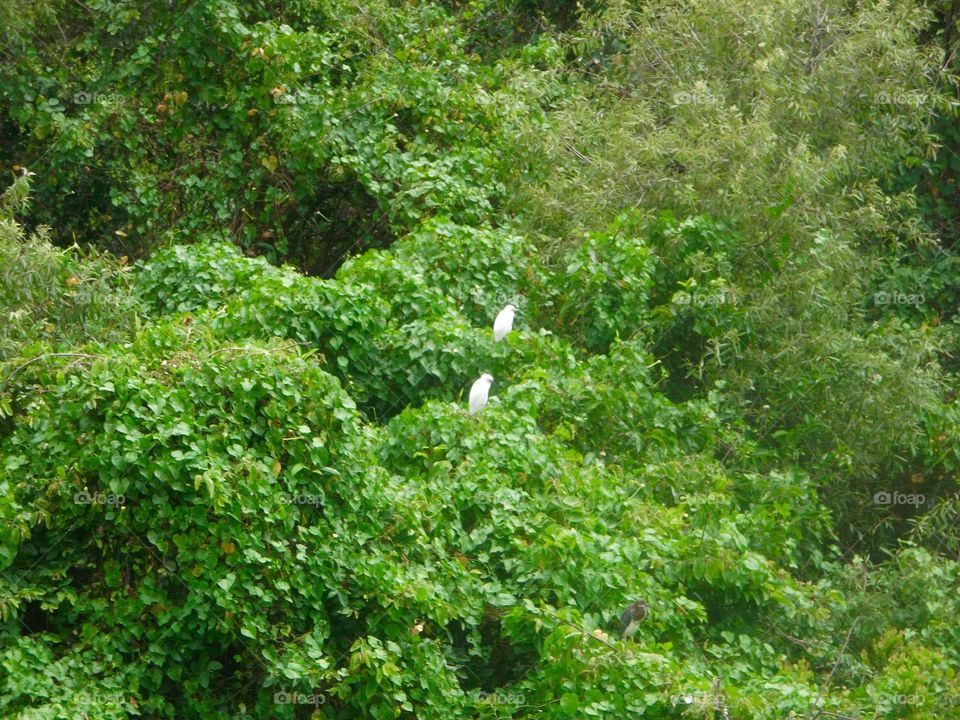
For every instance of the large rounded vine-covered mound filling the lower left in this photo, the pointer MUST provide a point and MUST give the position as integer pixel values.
(210, 492)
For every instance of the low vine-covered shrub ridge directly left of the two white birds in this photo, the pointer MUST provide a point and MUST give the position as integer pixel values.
(390, 326)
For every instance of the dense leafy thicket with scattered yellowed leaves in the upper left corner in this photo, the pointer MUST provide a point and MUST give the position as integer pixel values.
(302, 132)
